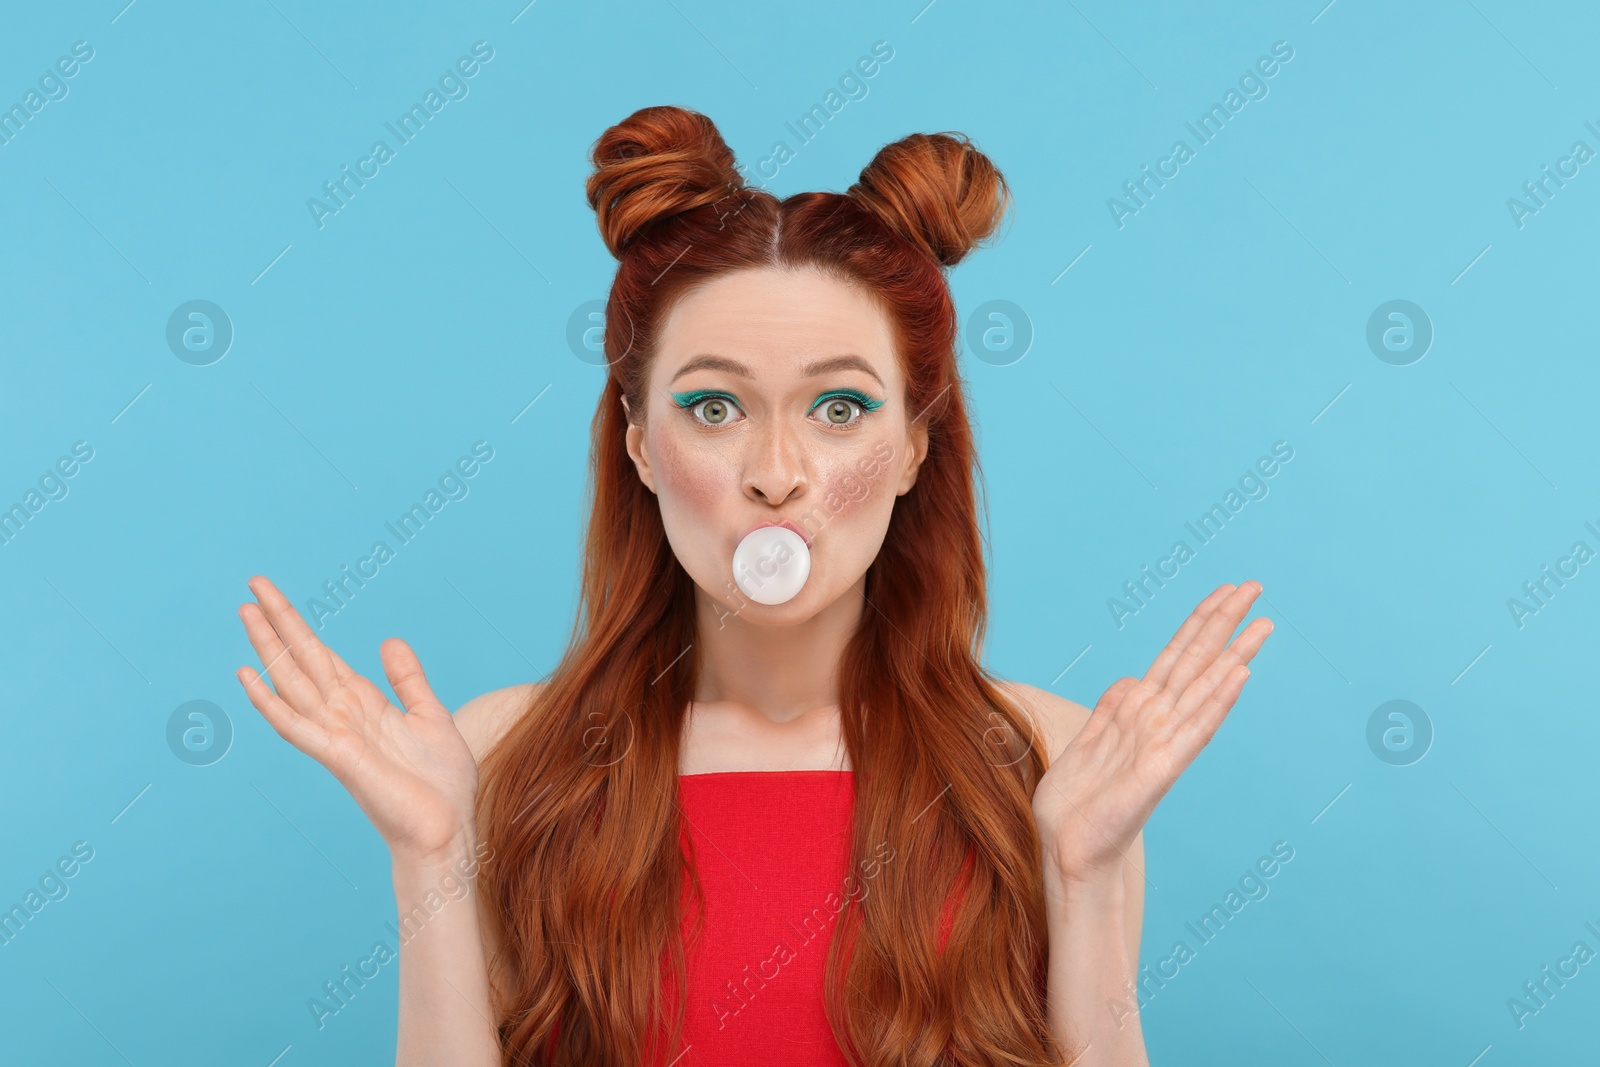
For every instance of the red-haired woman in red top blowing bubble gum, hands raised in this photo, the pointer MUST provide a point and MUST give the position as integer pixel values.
(820, 818)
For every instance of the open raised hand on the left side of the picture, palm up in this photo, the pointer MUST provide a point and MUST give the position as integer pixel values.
(410, 772)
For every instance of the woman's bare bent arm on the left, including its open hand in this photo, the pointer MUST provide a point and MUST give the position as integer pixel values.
(415, 775)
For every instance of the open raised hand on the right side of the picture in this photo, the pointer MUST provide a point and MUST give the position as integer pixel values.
(1142, 735)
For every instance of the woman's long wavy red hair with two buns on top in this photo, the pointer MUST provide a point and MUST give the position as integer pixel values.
(580, 797)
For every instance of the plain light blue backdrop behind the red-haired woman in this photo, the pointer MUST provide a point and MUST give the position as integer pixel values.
(428, 314)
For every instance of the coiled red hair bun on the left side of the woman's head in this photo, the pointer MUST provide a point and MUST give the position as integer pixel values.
(655, 164)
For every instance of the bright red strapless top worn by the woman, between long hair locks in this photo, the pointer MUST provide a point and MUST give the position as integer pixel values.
(774, 852)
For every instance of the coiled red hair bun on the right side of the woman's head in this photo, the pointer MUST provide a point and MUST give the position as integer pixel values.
(937, 191)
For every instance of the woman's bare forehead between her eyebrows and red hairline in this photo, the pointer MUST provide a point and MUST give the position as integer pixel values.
(775, 319)
